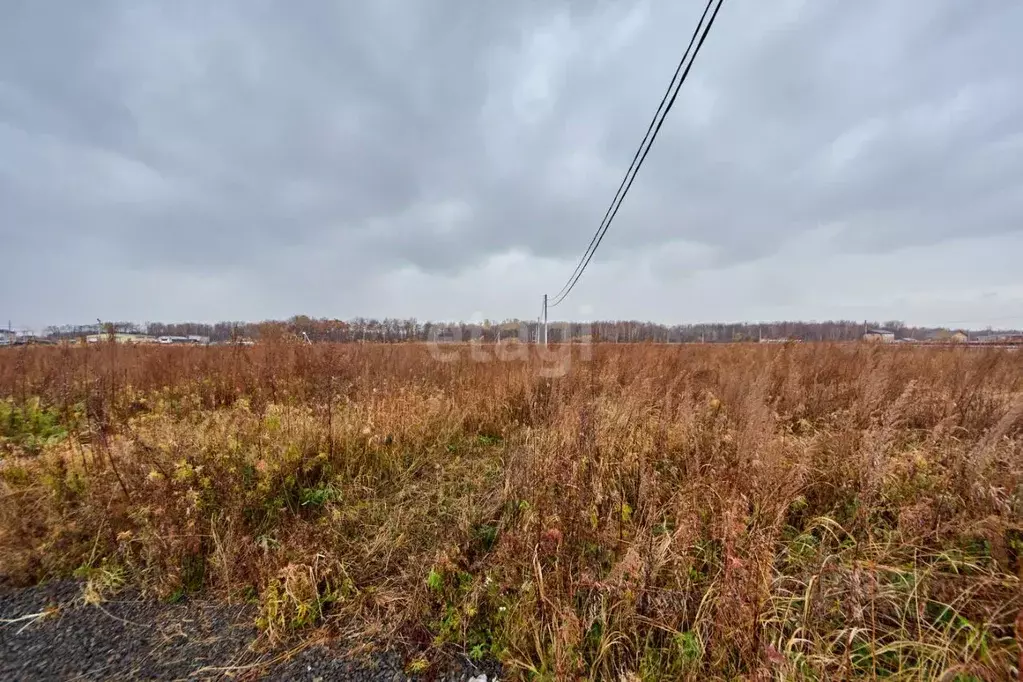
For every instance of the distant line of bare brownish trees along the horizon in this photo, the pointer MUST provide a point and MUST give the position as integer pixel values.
(392, 331)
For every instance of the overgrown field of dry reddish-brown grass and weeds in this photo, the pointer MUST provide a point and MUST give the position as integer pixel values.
(698, 513)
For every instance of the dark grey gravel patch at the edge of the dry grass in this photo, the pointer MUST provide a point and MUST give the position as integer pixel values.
(50, 633)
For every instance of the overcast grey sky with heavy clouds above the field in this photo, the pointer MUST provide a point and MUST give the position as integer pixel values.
(451, 160)
